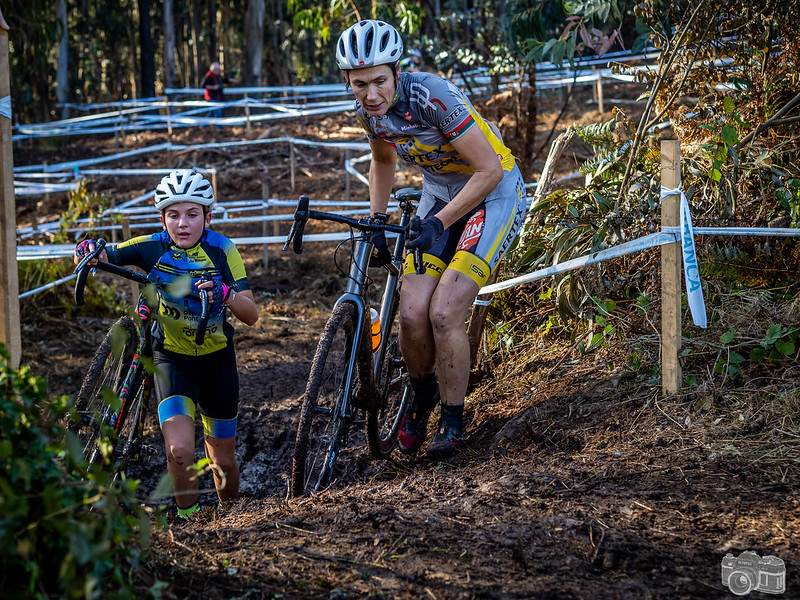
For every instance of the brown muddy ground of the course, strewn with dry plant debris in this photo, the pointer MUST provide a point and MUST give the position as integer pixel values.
(578, 480)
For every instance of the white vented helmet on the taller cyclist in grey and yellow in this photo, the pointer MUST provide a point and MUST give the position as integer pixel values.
(368, 43)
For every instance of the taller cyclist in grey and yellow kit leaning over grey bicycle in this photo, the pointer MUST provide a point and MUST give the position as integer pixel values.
(472, 206)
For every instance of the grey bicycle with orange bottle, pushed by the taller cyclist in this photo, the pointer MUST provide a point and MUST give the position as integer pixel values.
(347, 373)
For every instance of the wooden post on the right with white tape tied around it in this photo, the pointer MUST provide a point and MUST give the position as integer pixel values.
(670, 272)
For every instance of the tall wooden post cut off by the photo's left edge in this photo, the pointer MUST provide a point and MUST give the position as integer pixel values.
(9, 277)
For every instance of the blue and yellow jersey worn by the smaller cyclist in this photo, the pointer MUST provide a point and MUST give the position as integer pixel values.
(179, 312)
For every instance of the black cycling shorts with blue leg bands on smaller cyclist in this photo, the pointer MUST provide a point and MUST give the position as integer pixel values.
(210, 381)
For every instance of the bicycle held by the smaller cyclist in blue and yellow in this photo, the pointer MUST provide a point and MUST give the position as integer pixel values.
(112, 402)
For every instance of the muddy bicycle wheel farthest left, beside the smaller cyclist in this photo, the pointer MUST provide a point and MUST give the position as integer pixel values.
(102, 385)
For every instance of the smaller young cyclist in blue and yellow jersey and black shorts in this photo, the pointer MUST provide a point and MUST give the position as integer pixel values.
(188, 375)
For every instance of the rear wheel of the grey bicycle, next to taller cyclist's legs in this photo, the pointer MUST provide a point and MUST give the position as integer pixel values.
(394, 391)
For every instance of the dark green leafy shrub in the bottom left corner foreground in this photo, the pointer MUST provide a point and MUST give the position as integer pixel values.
(63, 533)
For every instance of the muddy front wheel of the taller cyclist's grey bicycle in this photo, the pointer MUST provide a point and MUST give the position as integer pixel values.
(320, 430)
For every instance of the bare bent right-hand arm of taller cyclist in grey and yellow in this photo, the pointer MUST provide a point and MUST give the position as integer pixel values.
(487, 173)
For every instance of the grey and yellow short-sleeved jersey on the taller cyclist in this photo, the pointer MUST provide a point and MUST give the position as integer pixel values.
(427, 114)
